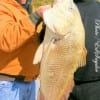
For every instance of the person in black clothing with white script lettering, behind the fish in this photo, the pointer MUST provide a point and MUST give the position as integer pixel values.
(87, 79)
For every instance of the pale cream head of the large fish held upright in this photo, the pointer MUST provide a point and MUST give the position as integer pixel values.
(62, 17)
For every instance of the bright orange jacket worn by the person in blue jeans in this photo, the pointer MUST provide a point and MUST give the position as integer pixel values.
(18, 41)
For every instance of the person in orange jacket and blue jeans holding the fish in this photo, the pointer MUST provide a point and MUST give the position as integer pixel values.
(18, 42)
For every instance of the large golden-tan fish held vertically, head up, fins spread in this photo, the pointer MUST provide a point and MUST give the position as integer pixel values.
(62, 51)
